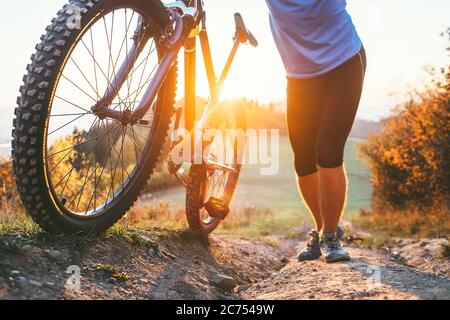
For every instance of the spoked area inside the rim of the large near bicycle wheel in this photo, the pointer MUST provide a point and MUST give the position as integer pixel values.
(91, 161)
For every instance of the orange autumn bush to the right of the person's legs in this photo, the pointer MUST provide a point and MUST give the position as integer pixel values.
(409, 160)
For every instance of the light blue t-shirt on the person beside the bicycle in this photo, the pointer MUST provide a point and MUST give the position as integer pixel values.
(313, 36)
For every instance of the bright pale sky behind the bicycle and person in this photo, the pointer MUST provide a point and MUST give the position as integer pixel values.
(400, 37)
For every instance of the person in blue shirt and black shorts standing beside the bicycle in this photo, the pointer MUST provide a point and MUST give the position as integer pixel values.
(325, 64)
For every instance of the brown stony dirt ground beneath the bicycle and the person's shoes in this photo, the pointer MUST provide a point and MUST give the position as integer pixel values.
(159, 264)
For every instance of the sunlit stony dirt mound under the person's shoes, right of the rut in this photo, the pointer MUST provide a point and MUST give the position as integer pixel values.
(369, 275)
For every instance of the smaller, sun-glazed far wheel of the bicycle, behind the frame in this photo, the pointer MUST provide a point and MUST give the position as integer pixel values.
(210, 188)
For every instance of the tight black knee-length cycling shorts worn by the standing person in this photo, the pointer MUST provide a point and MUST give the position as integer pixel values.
(321, 112)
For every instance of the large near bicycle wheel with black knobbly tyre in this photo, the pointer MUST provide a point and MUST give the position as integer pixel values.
(76, 172)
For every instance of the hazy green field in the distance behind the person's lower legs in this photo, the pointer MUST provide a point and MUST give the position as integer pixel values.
(279, 192)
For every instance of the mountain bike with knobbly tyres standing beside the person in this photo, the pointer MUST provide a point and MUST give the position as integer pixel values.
(85, 143)
